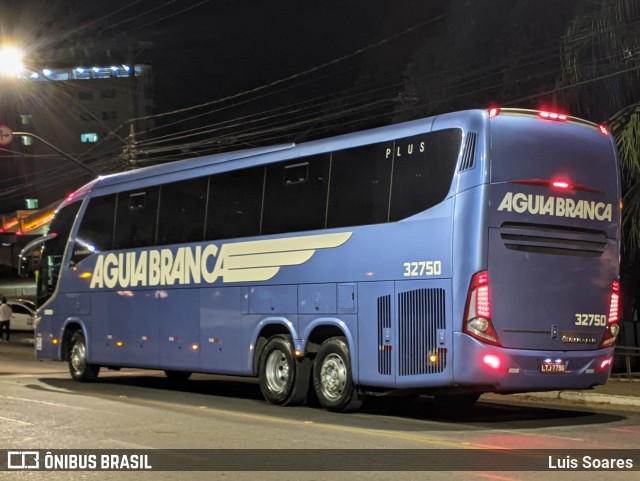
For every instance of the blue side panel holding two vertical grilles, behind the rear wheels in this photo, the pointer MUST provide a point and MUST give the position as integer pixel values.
(405, 338)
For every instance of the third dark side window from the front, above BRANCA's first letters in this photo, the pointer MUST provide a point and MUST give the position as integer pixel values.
(182, 210)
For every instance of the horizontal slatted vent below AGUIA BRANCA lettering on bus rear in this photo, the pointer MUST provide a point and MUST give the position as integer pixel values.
(554, 240)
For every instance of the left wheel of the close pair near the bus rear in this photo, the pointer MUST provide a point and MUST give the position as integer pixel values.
(277, 370)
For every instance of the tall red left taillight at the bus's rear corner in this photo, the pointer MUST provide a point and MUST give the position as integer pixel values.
(477, 314)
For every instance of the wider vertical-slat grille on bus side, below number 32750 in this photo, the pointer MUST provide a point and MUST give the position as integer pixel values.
(421, 313)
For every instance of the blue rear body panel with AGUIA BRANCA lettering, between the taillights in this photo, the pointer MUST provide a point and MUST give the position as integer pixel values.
(553, 247)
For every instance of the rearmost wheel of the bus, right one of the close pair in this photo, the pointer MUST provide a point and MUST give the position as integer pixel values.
(332, 377)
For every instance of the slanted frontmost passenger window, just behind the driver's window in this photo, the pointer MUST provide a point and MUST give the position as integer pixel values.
(96, 229)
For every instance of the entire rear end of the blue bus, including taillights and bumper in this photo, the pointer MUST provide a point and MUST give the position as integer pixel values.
(542, 313)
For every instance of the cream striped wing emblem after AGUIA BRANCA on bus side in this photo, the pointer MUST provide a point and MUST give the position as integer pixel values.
(254, 261)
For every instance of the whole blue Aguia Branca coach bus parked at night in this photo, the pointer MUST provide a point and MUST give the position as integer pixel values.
(465, 253)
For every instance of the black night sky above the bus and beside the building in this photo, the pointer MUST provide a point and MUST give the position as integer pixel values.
(295, 70)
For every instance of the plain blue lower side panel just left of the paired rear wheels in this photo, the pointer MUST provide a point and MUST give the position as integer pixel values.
(224, 343)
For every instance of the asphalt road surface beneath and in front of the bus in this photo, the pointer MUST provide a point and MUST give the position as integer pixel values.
(43, 409)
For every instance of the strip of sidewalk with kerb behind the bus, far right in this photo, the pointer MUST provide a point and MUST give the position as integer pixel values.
(619, 391)
